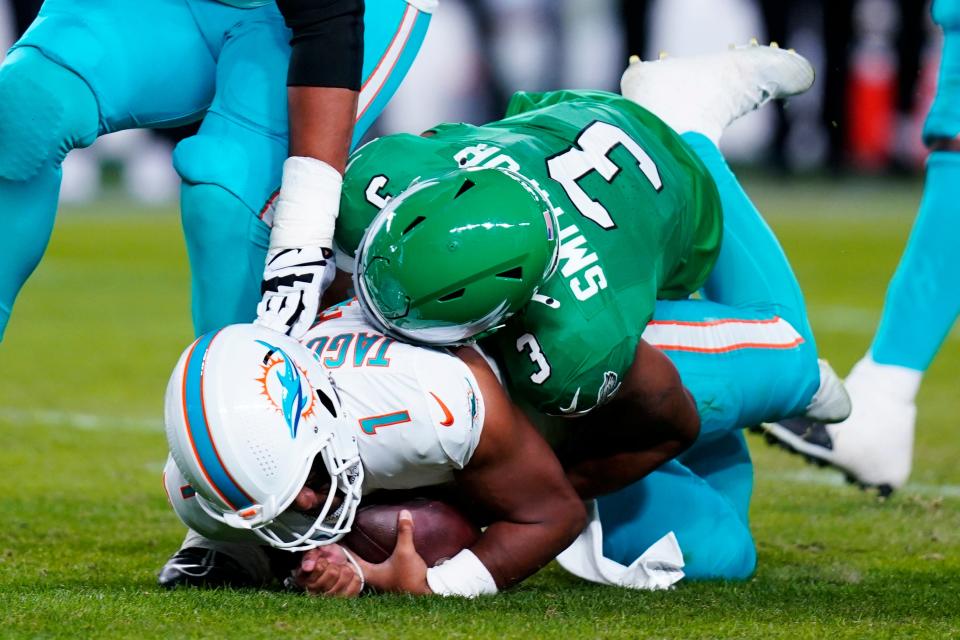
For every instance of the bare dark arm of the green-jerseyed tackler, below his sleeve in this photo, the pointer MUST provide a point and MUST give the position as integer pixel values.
(652, 420)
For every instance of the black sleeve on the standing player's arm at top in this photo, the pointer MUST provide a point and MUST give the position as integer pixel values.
(327, 42)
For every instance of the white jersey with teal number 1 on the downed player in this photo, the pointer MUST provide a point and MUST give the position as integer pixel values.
(416, 412)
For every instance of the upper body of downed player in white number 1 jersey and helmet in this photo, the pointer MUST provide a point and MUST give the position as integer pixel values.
(251, 414)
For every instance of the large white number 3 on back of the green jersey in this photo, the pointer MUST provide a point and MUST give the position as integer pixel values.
(595, 144)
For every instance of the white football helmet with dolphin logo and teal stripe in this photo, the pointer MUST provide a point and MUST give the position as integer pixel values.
(248, 410)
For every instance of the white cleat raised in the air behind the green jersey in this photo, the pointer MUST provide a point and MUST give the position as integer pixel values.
(706, 93)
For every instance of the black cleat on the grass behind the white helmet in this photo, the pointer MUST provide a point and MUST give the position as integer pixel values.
(205, 568)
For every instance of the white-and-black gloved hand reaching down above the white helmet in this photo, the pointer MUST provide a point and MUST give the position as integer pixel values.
(293, 282)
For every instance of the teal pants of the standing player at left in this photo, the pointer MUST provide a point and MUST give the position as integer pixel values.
(90, 67)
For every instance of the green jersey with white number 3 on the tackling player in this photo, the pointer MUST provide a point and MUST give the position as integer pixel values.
(638, 219)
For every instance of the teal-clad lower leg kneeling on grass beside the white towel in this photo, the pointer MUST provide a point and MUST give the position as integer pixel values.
(709, 525)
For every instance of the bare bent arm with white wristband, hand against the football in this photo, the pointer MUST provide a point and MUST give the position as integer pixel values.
(514, 477)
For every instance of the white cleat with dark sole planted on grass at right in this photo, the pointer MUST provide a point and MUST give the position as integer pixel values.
(874, 446)
